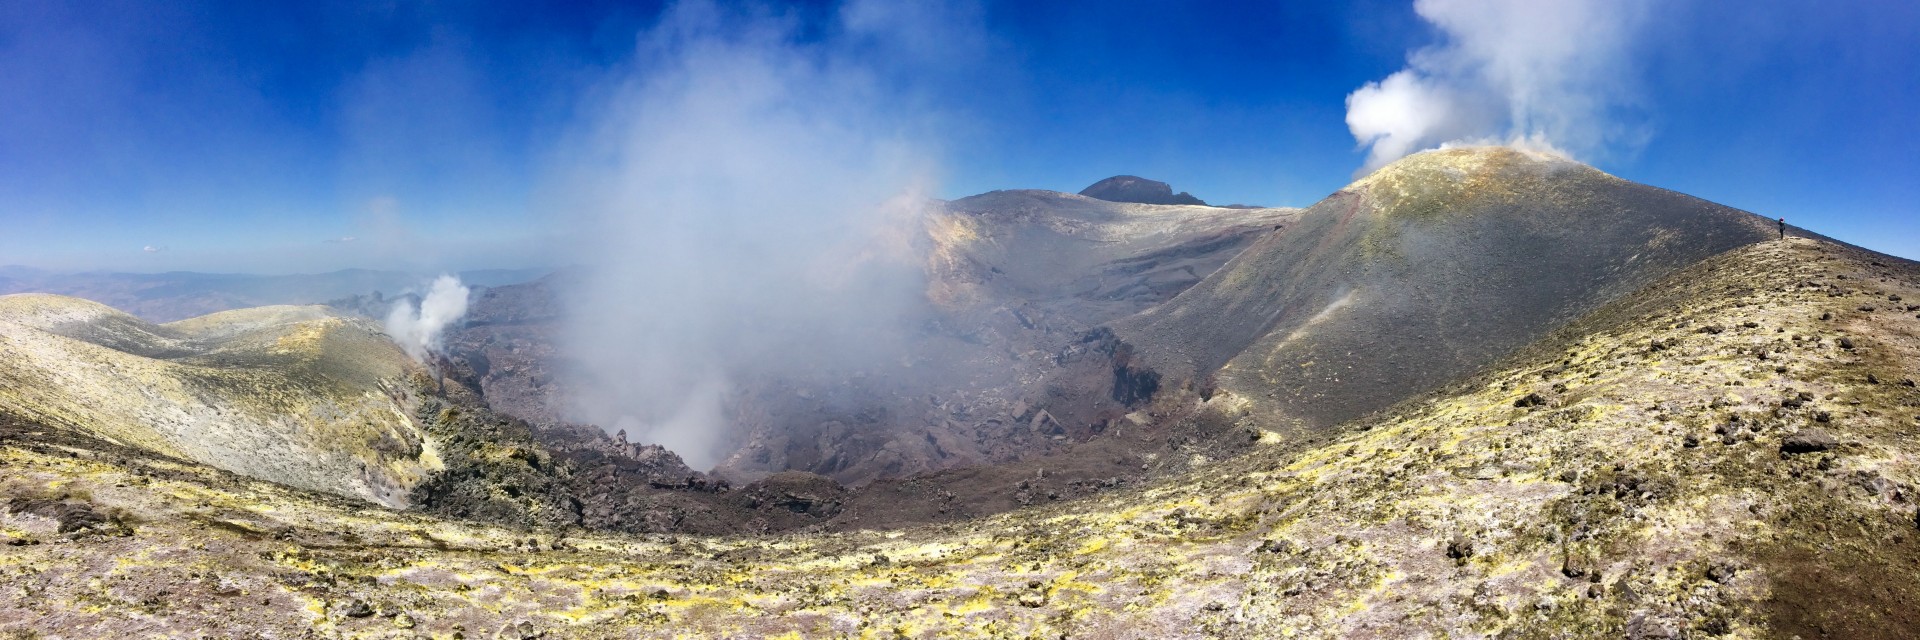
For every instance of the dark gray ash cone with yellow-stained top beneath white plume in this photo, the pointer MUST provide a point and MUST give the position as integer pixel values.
(1420, 274)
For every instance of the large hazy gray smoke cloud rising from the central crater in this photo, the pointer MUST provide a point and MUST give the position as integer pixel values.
(746, 199)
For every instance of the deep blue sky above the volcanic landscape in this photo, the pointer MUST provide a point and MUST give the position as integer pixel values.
(435, 135)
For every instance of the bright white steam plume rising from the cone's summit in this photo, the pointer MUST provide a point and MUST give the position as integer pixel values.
(1541, 74)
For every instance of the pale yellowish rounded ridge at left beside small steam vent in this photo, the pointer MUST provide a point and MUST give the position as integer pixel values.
(289, 395)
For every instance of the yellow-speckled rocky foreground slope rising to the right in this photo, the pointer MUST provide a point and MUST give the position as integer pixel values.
(1727, 451)
